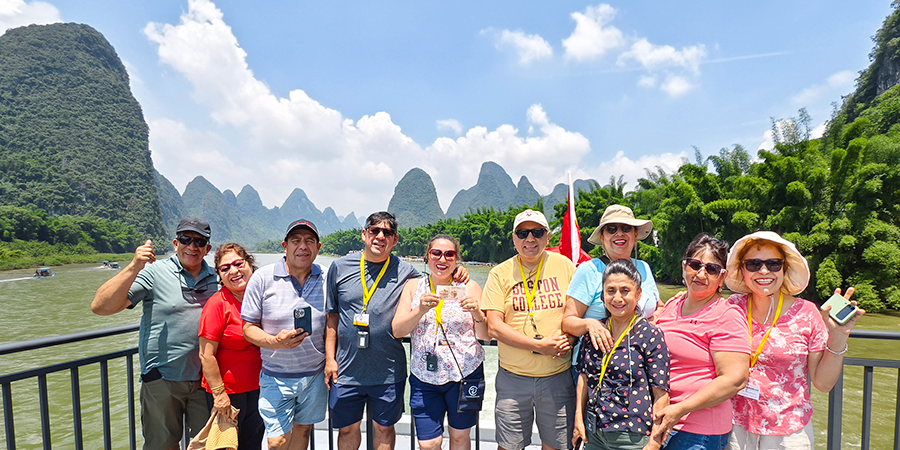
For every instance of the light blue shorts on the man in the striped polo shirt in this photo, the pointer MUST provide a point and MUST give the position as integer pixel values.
(284, 402)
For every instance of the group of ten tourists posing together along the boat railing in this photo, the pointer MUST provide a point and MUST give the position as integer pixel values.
(592, 355)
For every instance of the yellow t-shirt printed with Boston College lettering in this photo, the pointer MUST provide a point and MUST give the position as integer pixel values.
(503, 292)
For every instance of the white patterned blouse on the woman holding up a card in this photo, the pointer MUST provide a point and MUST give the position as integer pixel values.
(427, 338)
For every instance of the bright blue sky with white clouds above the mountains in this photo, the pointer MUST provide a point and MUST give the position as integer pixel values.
(341, 99)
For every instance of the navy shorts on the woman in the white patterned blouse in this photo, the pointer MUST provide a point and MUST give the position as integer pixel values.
(429, 404)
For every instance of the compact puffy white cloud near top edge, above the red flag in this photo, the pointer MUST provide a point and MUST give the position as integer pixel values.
(592, 38)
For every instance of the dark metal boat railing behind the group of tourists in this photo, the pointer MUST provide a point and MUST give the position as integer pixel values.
(835, 399)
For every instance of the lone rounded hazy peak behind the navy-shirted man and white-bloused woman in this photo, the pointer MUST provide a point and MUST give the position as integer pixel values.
(415, 201)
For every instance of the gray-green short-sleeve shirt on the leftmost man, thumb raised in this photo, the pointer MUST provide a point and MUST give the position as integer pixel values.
(172, 302)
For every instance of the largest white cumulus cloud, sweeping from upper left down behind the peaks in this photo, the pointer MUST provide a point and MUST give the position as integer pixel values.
(277, 144)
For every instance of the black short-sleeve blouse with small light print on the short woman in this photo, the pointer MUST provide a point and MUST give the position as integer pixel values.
(624, 400)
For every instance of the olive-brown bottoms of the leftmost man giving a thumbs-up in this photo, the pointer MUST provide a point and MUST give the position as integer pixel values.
(165, 405)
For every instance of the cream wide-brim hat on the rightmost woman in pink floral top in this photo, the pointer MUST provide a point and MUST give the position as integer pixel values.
(796, 276)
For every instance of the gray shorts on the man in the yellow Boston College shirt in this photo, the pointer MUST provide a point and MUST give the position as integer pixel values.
(523, 400)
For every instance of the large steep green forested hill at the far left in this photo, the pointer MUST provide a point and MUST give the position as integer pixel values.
(73, 140)
